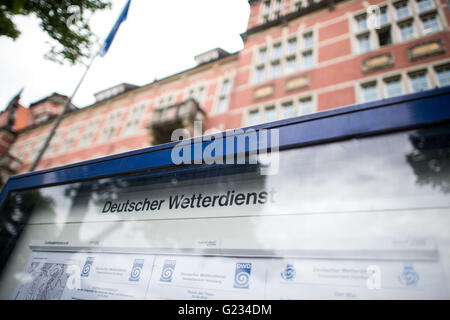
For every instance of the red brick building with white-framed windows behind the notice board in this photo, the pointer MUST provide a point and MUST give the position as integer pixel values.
(299, 56)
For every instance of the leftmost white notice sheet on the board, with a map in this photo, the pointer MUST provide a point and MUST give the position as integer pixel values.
(56, 275)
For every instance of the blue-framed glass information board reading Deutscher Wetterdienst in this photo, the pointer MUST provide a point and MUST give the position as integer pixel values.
(360, 217)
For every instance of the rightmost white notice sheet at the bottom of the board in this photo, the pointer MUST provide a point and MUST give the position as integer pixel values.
(354, 279)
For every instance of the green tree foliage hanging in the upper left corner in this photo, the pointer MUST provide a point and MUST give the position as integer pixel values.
(65, 21)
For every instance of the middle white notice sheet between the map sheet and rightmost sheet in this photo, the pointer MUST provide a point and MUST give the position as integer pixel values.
(176, 277)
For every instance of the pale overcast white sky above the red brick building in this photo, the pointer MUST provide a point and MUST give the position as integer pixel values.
(159, 38)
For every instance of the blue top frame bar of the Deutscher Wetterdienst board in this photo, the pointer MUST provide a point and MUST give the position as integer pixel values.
(395, 114)
